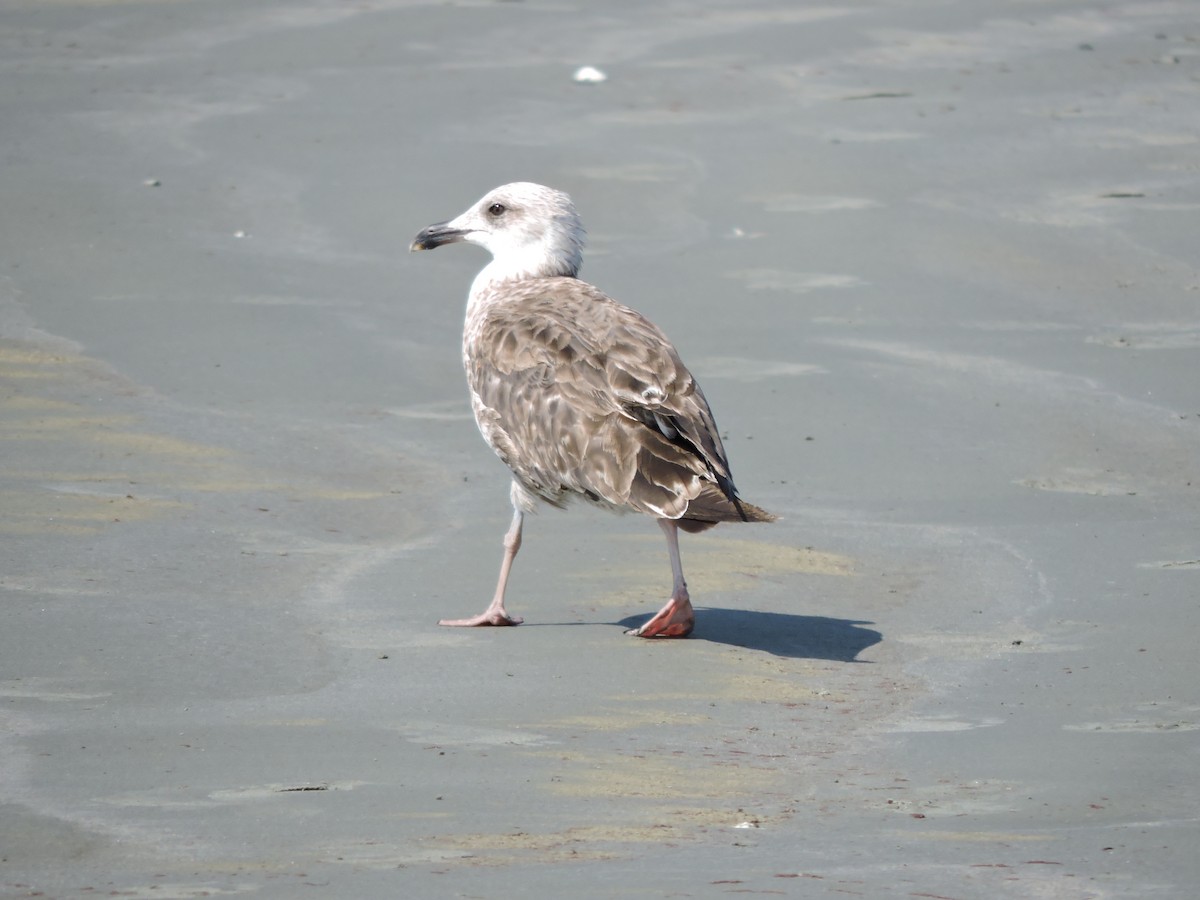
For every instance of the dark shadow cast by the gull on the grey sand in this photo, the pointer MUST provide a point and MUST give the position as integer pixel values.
(782, 634)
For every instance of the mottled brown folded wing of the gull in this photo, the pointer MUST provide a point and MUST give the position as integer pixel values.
(580, 394)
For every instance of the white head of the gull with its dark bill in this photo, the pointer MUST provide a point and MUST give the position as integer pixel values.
(530, 230)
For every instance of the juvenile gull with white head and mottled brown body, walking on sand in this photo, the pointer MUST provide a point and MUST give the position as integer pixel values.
(580, 395)
